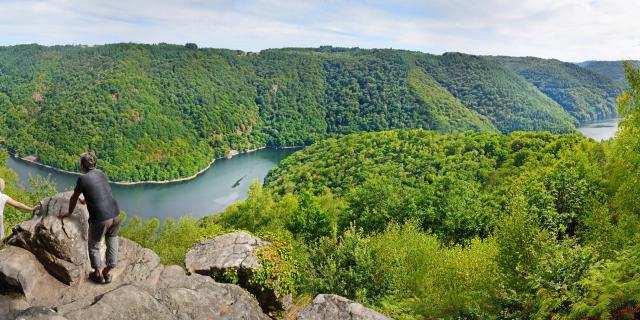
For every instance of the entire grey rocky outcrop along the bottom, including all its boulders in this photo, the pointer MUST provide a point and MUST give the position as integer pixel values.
(40, 278)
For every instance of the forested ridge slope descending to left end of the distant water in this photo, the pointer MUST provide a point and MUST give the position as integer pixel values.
(499, 94)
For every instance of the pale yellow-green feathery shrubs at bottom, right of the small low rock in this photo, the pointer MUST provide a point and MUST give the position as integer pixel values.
(432, 280)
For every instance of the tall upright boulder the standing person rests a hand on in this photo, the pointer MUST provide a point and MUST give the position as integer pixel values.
(59, 244)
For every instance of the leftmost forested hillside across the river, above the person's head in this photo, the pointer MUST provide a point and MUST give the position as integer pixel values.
(151, 112)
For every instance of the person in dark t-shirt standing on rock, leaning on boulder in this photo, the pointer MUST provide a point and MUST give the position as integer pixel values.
(104, 216)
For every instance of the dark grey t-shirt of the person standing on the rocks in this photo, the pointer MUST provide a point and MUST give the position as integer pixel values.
(95, 187)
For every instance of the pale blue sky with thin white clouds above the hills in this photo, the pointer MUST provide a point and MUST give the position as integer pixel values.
(569, 30)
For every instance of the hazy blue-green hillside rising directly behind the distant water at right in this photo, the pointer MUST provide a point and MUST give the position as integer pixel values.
(584, 94)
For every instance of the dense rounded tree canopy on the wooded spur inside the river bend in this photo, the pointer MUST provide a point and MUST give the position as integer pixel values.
(454, 185)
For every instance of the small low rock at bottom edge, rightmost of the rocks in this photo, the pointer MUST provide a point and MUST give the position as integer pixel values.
(331, 306)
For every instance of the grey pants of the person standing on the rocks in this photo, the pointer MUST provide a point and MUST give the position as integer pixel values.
(109, 230)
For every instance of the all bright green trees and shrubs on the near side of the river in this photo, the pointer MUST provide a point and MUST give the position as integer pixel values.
(424, 225)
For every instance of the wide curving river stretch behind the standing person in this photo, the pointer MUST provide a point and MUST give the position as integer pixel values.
(226, 182)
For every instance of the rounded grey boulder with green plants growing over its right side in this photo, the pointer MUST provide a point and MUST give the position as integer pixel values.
(236, 254)
